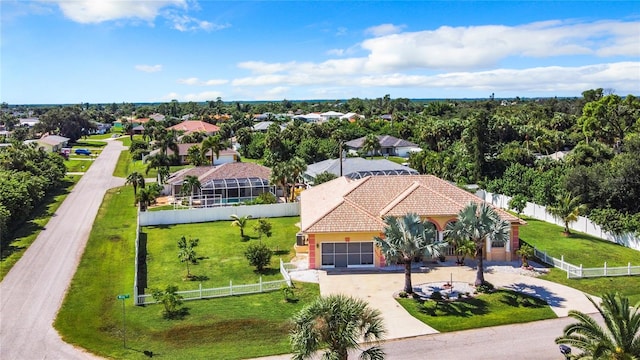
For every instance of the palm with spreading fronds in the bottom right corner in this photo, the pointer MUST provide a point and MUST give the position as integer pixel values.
(619, 340)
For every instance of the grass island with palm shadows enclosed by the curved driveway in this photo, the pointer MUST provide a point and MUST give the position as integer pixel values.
(499, 308)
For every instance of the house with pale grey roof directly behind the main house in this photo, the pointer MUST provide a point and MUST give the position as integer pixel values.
(356, 168)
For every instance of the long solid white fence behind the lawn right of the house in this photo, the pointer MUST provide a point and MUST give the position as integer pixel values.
(583, 224)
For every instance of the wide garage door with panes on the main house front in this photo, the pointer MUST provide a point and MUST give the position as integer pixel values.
(347, 254)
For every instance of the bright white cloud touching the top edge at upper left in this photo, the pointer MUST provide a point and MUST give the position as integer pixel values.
(96, 11)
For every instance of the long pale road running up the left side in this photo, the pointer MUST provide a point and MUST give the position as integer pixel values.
(32, 292)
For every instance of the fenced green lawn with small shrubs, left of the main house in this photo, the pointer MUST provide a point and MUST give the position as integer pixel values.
(221, 250)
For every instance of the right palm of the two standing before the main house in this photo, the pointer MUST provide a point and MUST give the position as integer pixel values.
(479, 223)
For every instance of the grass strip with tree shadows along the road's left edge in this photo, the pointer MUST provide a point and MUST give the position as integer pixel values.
(17, 242)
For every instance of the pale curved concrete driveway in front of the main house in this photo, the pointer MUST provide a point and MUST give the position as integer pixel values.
(378, 289)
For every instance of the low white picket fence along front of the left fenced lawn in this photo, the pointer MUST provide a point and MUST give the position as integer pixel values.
(200, 293)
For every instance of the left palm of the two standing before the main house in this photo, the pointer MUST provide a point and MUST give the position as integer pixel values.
(404, 239)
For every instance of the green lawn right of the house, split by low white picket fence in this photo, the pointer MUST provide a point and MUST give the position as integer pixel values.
(586, 250)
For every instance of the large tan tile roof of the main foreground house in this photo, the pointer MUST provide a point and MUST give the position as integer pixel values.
(362, 204)
